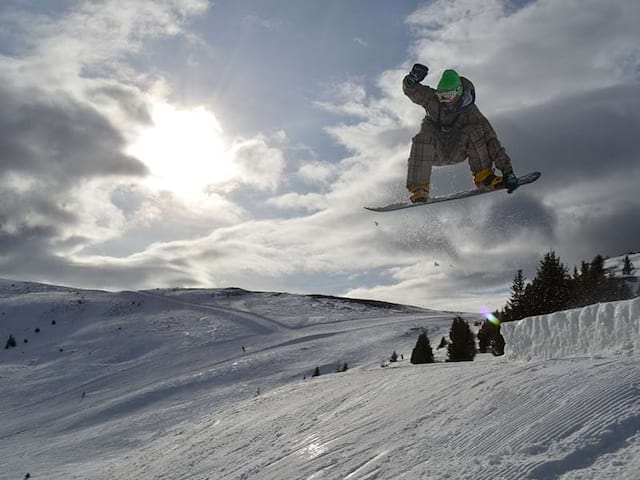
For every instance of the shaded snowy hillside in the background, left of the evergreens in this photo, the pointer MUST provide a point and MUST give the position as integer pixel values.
(103, 373)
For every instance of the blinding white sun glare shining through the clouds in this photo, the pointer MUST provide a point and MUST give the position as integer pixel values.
(184, 150)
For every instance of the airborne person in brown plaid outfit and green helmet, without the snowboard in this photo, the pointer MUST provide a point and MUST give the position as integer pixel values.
(453, 130)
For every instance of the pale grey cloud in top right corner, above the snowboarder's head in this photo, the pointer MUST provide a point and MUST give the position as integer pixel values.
(532, 55)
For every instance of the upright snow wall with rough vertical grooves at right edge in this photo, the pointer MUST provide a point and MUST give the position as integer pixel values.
(595, 330)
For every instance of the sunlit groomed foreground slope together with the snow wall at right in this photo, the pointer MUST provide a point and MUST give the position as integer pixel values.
(568, 416)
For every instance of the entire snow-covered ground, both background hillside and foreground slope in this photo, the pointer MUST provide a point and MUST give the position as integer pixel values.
(216, 384)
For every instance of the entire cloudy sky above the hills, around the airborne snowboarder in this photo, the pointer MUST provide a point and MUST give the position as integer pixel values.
(234, 143)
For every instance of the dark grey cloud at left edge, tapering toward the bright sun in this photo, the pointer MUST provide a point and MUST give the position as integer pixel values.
(59, 139)
